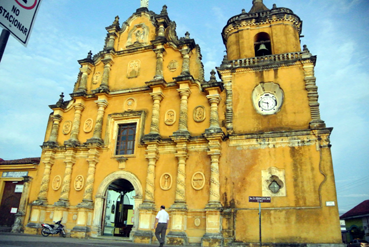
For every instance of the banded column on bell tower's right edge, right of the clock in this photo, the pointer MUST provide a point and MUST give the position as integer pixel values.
(312, 89)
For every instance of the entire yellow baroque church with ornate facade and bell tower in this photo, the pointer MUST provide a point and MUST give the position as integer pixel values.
(144, 128)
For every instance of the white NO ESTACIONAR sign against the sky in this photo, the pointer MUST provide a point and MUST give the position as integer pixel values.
(18, 17)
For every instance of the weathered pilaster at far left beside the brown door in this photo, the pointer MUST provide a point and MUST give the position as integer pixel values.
(19, 216)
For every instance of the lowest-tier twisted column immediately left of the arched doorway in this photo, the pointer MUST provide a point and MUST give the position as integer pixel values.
(93, 159)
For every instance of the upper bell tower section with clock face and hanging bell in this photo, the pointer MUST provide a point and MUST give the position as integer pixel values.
(269, 80)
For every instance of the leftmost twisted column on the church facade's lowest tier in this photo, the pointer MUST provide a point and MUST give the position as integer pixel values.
(48, 160)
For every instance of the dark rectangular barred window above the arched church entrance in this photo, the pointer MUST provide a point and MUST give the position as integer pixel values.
(126, 139)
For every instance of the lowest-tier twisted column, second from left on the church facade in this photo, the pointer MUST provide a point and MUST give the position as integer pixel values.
(69, 161)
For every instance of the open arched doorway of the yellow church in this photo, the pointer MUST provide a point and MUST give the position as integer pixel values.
(118, 212)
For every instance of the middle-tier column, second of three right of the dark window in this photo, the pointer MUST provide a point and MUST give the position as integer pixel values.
(184, 92)
